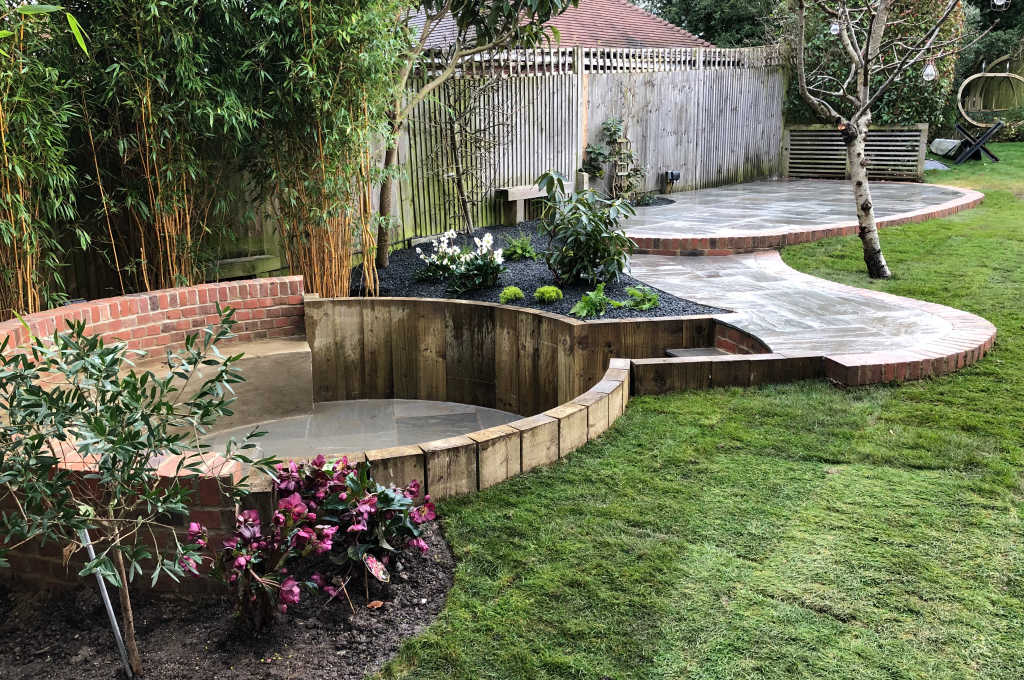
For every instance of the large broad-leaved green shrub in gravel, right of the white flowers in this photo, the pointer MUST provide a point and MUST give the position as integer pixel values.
(586, 242)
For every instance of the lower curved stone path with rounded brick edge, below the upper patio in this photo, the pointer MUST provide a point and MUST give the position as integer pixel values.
(864, 336)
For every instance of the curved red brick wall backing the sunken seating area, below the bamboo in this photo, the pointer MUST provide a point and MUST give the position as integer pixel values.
(266, 309)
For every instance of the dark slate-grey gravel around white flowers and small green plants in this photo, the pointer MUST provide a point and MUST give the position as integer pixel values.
(399, 281)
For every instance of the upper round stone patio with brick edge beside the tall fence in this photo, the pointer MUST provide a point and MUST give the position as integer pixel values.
(762, 216)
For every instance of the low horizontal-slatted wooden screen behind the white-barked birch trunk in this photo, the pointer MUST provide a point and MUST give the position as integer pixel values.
(819, 152)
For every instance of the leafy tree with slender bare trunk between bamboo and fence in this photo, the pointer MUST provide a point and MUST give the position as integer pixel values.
(445, 34)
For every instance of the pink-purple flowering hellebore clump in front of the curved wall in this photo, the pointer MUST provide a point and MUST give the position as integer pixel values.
(333, 509)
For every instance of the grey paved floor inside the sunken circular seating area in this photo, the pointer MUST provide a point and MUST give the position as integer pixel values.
(343, 428)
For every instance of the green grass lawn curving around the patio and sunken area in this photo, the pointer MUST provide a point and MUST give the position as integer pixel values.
(790, 532)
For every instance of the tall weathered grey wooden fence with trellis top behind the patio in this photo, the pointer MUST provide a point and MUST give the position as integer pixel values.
(714, 115)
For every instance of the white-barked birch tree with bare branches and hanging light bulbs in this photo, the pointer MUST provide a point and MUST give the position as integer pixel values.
(882, 41)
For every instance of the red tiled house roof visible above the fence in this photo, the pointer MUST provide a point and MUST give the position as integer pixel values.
(594, 24)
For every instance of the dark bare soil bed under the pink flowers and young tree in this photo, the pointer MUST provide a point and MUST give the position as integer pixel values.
(65, 636)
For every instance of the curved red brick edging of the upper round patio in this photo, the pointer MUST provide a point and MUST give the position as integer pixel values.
(755, 241)
